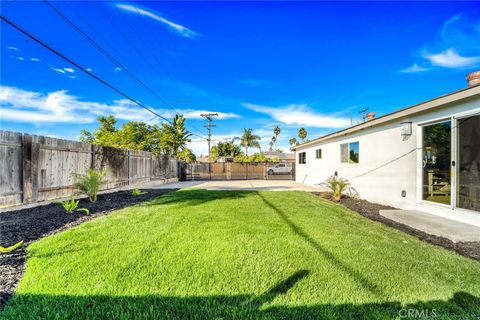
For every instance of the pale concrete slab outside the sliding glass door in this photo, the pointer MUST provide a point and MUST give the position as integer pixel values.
(435, 225)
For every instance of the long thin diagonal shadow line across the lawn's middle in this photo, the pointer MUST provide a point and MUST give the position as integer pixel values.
(329, 256)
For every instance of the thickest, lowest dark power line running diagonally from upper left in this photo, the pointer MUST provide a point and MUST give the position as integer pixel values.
(64, 57)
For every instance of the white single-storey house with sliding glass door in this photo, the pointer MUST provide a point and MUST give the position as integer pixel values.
(425, 157)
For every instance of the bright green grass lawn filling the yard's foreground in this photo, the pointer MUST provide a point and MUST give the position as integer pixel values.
(197, 254)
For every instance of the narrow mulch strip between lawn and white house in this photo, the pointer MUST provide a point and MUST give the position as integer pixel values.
(370, 210)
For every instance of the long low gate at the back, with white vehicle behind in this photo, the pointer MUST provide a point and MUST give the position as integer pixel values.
(240, 171)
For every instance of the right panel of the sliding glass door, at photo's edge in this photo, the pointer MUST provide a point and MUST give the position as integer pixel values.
(468, 168)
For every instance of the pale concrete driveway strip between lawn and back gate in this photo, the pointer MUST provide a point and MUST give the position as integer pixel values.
(271, 185)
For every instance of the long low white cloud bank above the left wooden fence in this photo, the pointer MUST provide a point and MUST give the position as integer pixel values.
(19, 105)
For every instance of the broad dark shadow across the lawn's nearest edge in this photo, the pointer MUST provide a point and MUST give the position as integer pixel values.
(461, 306)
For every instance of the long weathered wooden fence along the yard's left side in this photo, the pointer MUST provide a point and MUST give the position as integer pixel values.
(37, 168)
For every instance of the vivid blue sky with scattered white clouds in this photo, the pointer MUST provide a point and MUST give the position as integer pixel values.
(259, 64)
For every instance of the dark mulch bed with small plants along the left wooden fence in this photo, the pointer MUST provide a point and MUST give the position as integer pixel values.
(31, 224)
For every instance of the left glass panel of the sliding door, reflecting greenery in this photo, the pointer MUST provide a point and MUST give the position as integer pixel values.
(436, 161)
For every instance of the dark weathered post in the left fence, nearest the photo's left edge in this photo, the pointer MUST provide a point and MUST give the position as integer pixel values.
(30, 155)
